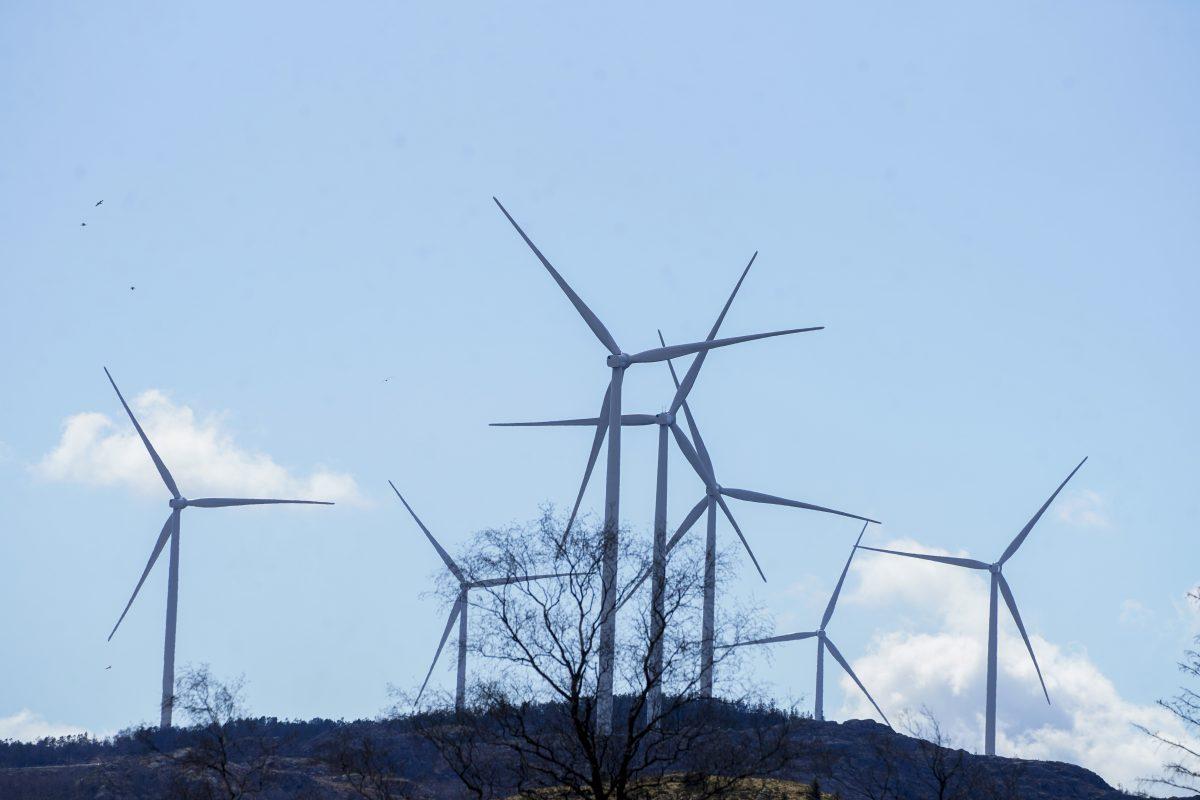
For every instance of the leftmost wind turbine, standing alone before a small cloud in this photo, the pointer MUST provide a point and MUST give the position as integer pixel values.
(171, 532)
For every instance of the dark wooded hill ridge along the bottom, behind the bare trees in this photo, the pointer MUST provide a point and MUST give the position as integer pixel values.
(855, 761)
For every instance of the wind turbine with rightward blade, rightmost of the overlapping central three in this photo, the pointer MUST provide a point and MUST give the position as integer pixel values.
(715, 497)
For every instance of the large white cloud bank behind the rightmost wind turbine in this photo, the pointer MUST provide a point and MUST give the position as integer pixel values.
(1089, 723)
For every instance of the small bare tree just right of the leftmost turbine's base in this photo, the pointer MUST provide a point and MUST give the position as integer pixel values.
(226, 754)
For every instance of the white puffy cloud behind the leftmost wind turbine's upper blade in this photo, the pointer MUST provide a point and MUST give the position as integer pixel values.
(201, 454)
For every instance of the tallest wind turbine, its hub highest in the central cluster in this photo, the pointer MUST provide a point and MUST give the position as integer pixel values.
(617, 362)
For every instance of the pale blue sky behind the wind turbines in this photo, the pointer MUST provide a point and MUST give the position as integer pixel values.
(992, 210)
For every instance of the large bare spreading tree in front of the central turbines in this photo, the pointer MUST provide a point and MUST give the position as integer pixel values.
(531, 724)
